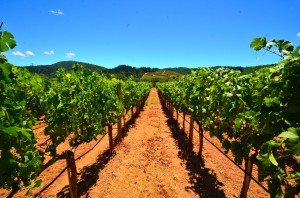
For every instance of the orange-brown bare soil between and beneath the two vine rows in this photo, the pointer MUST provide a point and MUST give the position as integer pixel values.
(153, 160)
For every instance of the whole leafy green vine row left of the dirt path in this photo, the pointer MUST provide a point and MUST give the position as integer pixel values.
(75, 107)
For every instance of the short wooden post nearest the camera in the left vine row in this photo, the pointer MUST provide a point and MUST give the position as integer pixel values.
(72, 173)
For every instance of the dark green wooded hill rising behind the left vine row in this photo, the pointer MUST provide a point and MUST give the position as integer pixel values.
(49, 70)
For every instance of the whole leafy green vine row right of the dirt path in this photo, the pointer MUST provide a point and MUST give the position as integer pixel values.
(255, 114)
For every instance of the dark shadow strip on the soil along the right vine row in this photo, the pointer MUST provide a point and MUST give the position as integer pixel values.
(203, 180)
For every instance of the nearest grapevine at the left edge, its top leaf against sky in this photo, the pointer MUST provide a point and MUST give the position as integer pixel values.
(20, 160)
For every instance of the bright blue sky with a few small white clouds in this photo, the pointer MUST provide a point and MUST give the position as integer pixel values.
(151, 33)
